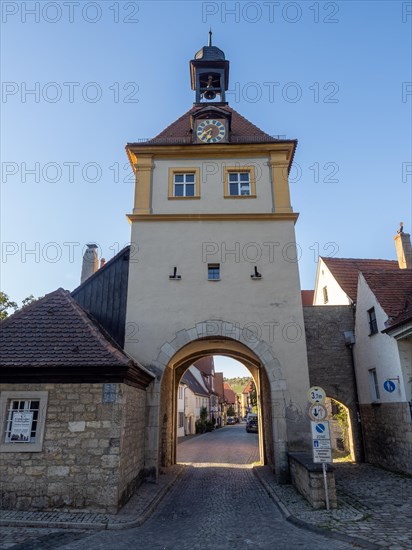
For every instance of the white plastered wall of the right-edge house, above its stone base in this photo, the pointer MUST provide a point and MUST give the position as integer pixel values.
(378, 351)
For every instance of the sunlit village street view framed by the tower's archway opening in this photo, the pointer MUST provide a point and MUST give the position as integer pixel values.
(215, 395)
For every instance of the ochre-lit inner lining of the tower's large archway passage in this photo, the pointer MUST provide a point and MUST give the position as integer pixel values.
(172, 375)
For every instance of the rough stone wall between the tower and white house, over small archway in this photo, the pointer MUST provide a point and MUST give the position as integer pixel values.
(330, 360)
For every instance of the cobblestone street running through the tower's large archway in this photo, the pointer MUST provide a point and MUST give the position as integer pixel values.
(217, 503)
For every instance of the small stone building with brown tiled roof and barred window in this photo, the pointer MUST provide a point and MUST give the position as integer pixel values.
(74, 403)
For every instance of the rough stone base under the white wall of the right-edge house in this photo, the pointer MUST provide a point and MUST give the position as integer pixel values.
(389, 435)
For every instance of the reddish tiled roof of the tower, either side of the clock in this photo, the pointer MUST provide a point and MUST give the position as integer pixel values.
(241, 129)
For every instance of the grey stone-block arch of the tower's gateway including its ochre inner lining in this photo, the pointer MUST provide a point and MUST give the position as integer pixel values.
(212, 337)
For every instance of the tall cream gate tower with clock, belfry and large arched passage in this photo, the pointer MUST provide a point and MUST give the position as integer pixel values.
(213, 264)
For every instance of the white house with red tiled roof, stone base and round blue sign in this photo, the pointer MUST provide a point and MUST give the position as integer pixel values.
(383, 363)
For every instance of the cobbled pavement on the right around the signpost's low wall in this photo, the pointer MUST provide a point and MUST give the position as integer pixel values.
(373, 505)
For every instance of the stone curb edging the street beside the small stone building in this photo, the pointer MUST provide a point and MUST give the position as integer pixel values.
(107, 525)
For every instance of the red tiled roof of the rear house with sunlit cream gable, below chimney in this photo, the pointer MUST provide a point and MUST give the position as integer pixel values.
(346, 271)
